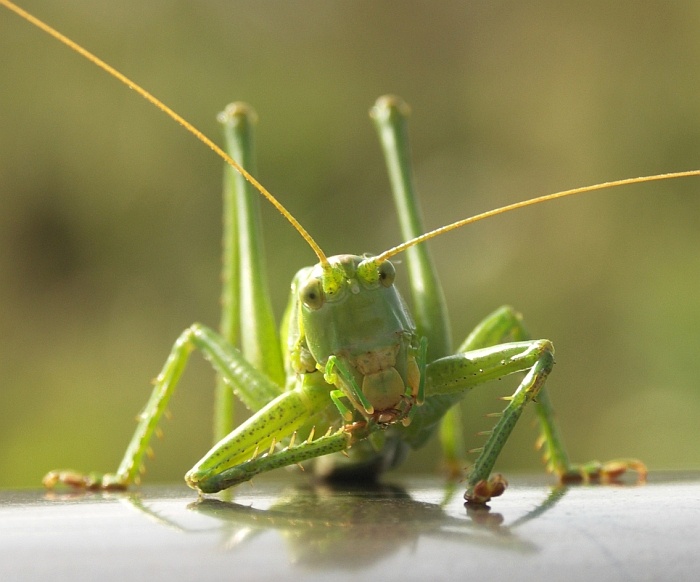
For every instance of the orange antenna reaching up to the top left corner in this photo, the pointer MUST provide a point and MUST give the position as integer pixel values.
(170, 113)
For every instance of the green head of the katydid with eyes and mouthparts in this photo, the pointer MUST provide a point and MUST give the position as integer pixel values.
(349, 308)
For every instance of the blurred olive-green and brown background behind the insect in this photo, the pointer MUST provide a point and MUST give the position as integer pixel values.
(110, 213)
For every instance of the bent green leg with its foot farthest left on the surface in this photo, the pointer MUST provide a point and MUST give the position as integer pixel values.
(253, 388)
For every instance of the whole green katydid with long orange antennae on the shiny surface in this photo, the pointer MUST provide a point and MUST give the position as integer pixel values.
(354, 390)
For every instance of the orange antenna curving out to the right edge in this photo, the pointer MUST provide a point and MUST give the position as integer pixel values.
(531, 202)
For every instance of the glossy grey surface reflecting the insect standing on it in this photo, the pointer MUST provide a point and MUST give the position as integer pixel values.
(405, 531)
